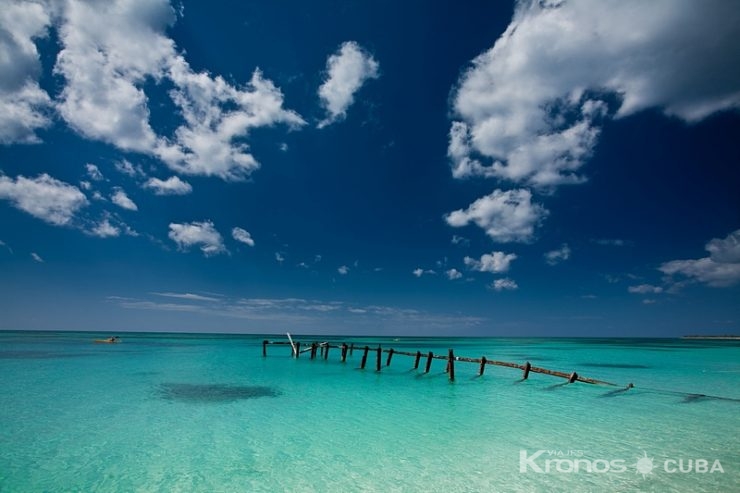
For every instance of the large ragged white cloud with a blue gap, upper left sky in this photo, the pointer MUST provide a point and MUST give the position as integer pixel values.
(111, 50)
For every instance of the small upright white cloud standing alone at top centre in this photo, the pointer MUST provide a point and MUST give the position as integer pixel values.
(347, 70)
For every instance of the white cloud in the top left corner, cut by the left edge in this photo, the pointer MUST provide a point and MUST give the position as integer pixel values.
(24, 106)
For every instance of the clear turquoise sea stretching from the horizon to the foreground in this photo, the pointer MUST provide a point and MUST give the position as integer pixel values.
(209, 413)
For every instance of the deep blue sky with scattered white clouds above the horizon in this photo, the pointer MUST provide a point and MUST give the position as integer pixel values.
(536, 168)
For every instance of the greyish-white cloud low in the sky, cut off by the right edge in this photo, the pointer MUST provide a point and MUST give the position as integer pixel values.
(720, 269)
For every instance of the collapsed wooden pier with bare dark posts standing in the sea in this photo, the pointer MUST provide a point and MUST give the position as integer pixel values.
(450, 358)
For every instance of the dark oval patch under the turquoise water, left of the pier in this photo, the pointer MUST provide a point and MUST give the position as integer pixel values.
(187, 392)
